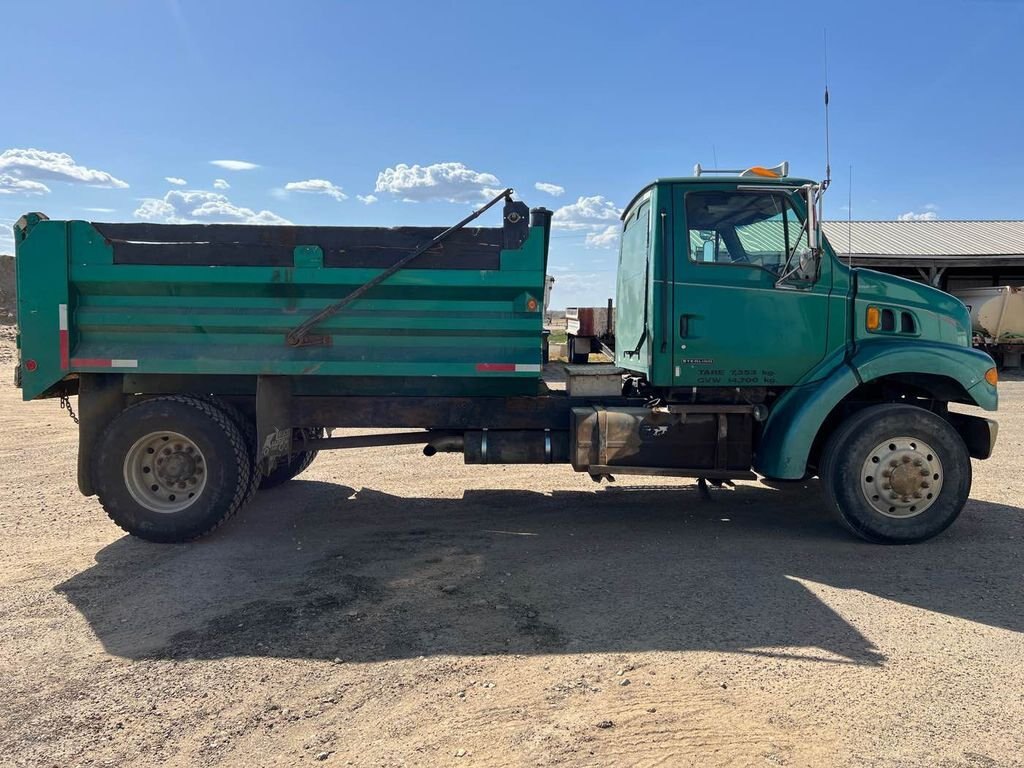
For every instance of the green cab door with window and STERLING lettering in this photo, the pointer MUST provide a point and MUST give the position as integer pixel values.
(735, 326)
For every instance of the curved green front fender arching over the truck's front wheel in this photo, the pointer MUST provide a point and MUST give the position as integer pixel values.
(796, 418)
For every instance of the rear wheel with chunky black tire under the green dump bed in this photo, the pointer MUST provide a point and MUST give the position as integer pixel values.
(172, 470)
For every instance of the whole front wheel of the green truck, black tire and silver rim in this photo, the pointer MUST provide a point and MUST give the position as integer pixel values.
(897, 475)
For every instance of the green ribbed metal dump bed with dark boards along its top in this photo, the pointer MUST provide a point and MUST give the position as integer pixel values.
(465, 318)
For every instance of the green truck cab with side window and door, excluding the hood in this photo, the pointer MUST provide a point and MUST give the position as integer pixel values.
(718, 263)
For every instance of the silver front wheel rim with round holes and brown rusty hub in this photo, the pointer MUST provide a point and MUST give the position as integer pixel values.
(902, 478)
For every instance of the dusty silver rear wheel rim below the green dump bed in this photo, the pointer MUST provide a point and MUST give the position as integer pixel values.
(165, 473)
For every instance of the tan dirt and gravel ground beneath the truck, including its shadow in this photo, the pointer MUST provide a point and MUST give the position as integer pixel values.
(391, 610)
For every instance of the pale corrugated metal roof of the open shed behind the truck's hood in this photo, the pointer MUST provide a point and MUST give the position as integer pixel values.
(948, 254)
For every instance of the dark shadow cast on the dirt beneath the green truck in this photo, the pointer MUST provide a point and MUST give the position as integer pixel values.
(320, 571)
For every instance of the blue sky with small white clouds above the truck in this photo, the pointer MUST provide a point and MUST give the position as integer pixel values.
(365, 107)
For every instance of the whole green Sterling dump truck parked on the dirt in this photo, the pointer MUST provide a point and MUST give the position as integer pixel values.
(211, 361)
